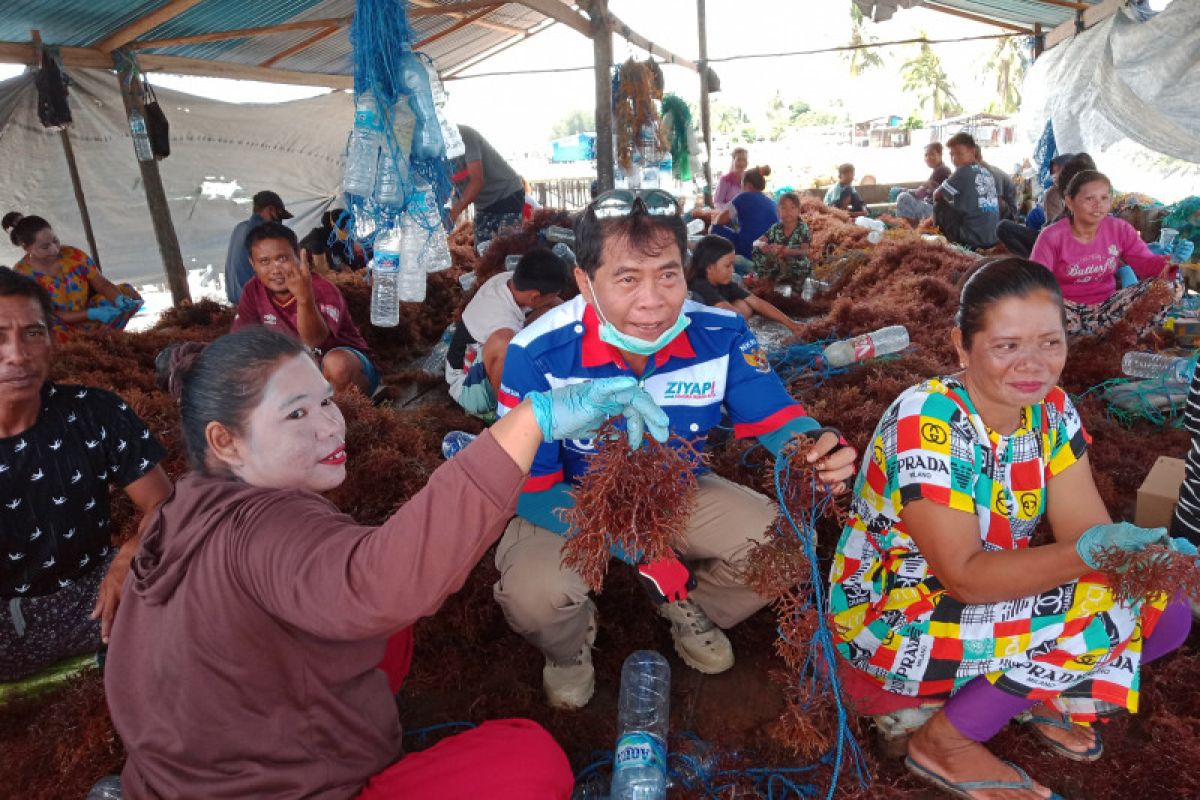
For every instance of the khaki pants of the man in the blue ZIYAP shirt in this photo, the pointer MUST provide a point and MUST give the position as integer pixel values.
(548, 604)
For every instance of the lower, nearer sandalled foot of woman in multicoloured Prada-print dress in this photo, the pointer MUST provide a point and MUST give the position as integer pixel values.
(941, 749)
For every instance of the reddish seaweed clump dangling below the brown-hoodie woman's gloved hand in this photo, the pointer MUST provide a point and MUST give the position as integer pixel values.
(638, 501)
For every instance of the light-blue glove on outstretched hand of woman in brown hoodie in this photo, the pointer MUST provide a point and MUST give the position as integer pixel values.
(578, 412)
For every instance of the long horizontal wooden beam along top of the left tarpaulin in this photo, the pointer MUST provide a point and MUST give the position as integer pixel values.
(93, 59)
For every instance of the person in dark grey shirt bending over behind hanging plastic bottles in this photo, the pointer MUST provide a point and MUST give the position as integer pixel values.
(484, 178)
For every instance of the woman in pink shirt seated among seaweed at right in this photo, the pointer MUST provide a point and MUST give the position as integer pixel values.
(1084, 251)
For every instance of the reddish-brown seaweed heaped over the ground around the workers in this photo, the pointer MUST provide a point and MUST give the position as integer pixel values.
(471, 667)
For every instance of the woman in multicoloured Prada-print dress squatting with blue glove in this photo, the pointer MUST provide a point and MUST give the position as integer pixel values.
(937, 591)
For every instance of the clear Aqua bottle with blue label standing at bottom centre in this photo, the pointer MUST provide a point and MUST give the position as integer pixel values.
(640, 763)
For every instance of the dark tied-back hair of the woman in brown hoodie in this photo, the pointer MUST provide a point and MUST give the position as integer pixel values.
(223, 383)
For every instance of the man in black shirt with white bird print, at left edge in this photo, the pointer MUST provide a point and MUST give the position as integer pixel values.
(62, 448)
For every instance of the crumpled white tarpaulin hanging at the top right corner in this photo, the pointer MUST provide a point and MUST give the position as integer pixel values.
(1123, 80)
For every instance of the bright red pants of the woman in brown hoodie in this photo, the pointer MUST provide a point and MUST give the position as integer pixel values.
(501, 760)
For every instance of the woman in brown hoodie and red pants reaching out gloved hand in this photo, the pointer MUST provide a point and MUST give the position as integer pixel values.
(243, 664)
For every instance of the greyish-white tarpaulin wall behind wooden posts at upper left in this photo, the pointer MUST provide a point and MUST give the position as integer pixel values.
(221, 154)
